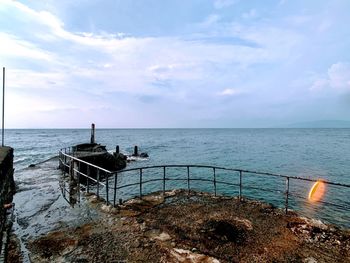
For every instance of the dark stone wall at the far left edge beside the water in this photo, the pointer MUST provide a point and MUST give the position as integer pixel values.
(7, 190)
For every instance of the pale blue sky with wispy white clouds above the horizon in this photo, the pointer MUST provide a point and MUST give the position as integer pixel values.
(174, 63)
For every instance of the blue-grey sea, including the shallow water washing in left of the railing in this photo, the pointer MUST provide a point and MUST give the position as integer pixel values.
(308, 153)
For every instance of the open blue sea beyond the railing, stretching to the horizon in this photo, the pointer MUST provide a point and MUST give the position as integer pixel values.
(309, 153)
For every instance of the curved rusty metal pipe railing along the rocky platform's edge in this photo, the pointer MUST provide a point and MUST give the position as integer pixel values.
(67, 160)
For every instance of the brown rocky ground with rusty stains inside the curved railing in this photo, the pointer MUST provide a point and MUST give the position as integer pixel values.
(196, 228)
